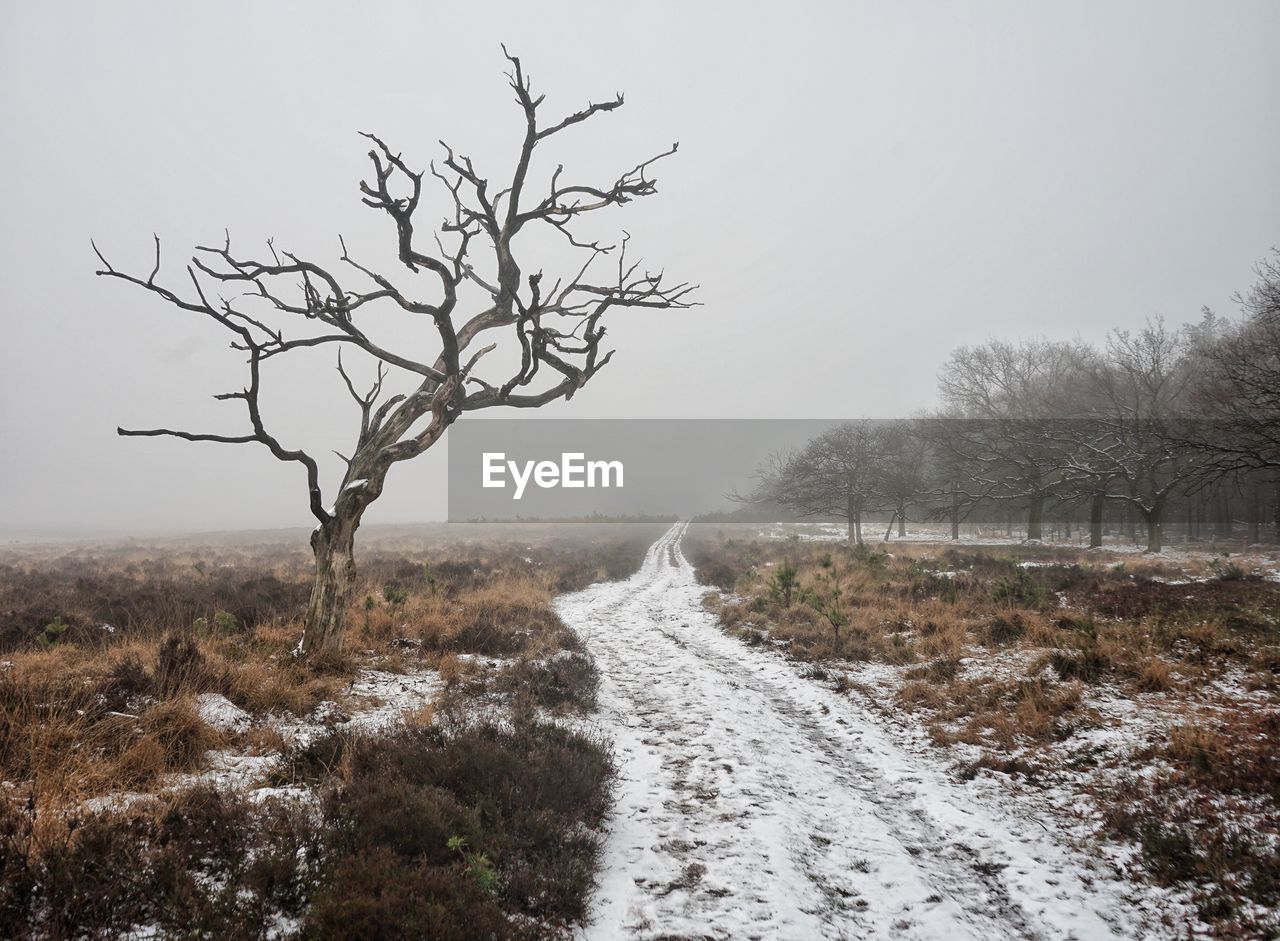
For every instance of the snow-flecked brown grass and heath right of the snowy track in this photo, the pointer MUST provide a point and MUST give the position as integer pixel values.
(1013, 664)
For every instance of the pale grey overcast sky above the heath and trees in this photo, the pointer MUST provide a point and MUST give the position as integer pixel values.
(860, 189)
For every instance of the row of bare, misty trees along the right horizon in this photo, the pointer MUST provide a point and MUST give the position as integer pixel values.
(1155, 432)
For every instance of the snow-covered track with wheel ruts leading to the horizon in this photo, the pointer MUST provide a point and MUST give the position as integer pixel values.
(755, 805)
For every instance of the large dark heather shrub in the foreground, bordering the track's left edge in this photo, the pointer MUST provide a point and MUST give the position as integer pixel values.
(528, 798)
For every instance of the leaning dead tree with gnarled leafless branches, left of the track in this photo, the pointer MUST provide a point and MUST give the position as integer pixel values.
(557, 326)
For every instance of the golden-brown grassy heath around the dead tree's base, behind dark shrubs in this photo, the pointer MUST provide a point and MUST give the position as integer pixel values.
(102, 710)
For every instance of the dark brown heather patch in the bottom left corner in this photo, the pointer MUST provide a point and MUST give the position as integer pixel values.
(204, 865)
